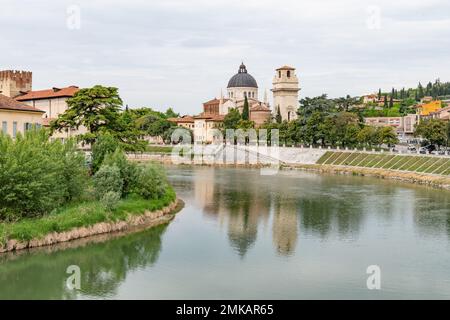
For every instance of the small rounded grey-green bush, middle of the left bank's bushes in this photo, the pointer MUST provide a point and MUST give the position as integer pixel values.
(107, 179)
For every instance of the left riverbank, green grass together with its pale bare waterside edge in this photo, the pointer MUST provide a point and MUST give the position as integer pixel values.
(85, 220)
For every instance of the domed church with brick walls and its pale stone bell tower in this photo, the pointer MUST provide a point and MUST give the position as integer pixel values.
(241, 87)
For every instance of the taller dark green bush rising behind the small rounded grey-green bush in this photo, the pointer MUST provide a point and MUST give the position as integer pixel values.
(128, 170)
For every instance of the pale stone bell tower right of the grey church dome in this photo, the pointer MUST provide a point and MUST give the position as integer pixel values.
(285, 93)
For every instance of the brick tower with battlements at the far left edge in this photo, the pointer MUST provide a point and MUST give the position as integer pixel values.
(13, 83)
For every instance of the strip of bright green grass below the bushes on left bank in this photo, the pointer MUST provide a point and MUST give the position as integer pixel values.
(79, 215)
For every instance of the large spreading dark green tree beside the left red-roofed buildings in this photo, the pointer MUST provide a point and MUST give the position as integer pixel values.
(95, 108)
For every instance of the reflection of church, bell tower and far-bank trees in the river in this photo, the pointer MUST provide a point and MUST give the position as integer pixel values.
(297, 202)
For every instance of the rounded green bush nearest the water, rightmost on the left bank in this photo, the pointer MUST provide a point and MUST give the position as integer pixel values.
(152, 182)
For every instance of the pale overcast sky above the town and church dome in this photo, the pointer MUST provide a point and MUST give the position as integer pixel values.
(163, 53)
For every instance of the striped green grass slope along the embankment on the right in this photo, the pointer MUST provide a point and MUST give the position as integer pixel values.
(413, 163)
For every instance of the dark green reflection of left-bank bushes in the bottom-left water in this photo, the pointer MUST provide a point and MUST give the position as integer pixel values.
(104, 266)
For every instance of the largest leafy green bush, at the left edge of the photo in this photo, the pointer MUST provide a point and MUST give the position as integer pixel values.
(37, 175)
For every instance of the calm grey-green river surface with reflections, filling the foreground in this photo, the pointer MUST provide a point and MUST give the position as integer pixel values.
(243, 235)
